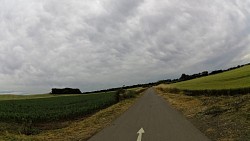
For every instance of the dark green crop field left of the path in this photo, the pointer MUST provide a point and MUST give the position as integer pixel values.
(53, 108)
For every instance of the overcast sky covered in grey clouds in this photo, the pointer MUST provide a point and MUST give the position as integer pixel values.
(96, 44)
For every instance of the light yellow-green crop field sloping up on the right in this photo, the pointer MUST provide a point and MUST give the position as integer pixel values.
(234, 79)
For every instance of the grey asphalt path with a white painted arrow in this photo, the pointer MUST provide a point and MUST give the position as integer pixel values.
(151, 118)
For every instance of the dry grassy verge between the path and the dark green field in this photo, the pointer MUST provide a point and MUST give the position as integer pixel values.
(80, 129)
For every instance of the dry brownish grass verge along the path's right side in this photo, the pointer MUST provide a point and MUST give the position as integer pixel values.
(221, 118)
